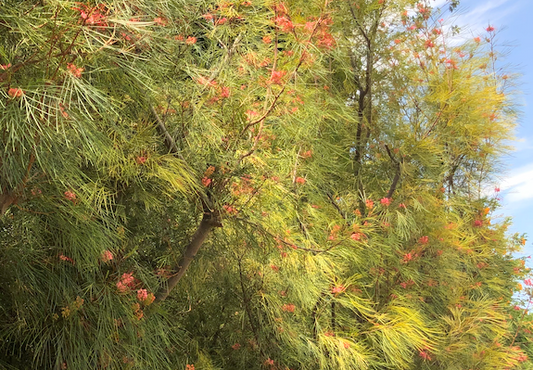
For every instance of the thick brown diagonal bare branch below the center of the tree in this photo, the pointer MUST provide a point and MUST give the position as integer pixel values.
(209, 221)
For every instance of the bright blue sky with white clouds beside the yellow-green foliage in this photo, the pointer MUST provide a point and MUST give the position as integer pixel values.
(512, 20)
